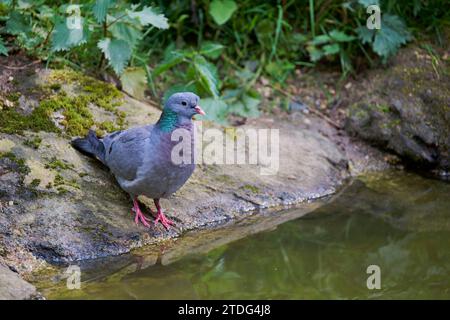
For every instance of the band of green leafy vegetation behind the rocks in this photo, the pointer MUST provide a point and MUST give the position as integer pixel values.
(217, 48)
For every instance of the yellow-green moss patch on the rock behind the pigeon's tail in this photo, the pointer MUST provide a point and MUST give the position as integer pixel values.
(77, 116)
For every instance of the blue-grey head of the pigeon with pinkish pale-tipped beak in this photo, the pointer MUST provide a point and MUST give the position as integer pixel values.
(184, 104)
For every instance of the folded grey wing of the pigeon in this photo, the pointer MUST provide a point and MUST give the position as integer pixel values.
(124, 151)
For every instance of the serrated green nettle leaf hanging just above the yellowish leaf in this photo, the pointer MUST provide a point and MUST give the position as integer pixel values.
(118, 52)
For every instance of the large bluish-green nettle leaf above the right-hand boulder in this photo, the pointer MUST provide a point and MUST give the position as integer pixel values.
(391, 36)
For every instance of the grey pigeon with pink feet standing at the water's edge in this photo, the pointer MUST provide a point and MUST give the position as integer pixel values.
(140, 158)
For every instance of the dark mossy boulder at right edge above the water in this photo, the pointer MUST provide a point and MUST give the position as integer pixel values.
(406, 109)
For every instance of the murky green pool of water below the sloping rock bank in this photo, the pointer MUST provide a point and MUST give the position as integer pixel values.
(399, 222)
